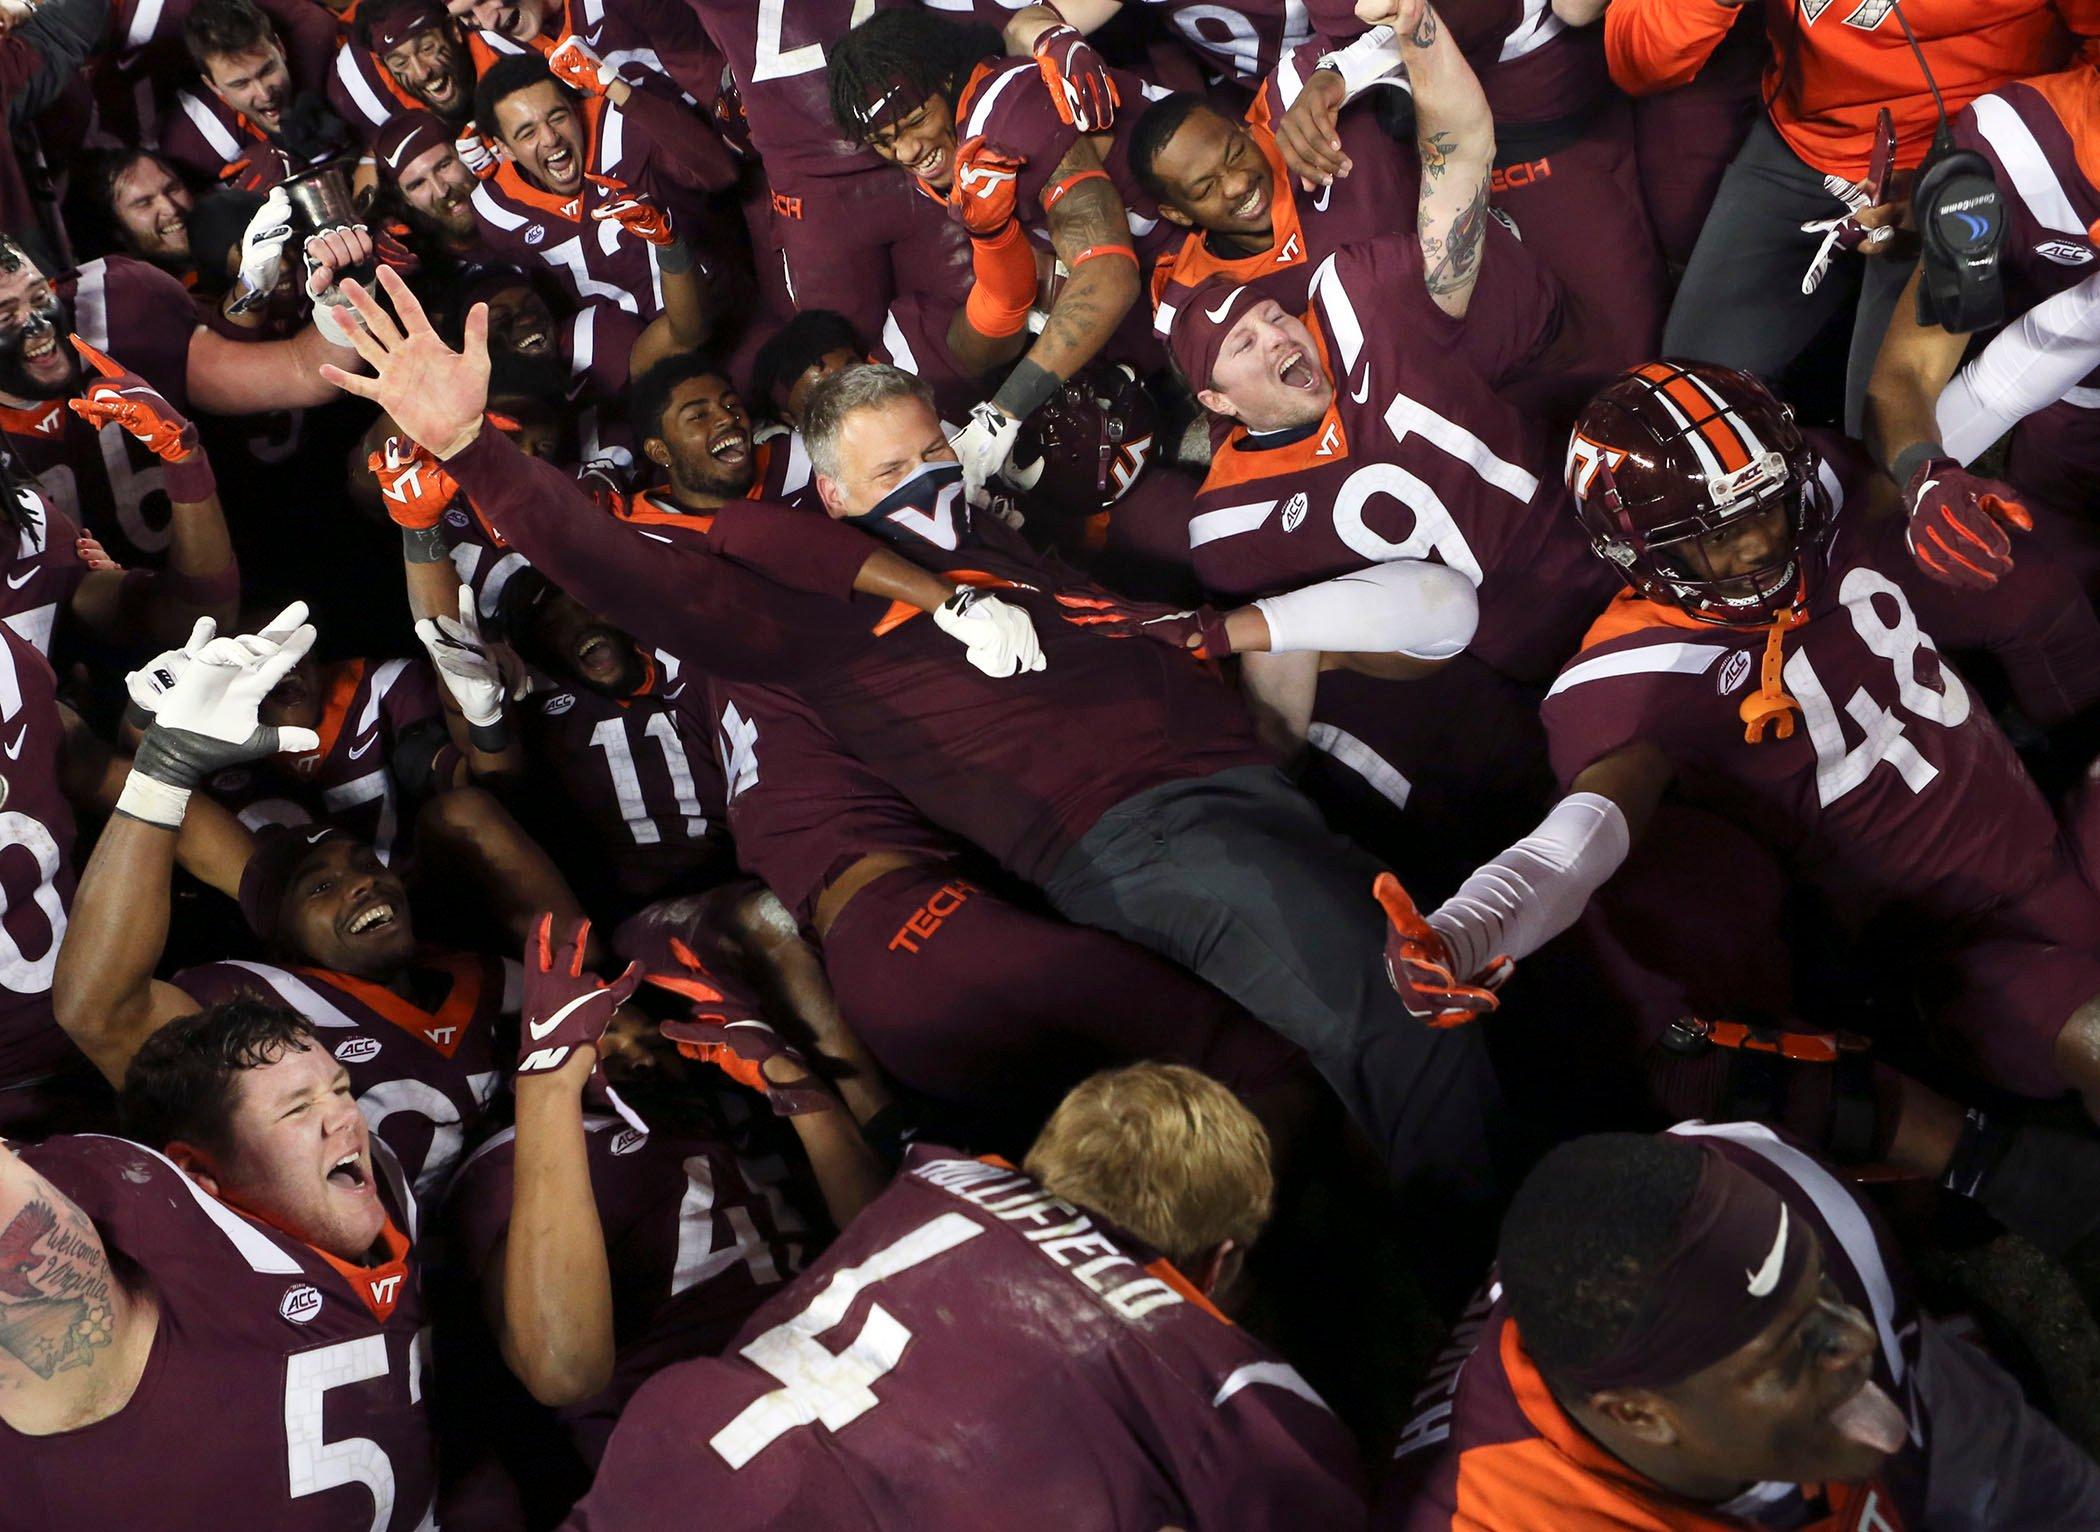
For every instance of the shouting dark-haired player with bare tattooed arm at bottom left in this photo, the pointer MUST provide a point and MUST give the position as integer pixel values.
(253, 1254)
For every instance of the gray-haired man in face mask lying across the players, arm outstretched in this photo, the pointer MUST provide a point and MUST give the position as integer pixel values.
(1173, 807)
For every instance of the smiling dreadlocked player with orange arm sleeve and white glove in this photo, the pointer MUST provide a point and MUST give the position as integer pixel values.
(1024, 158)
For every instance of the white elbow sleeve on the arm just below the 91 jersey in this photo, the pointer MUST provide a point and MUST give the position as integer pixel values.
(1404, 608)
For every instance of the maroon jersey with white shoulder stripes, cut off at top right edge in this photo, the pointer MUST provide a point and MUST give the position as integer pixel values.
(2040, 140)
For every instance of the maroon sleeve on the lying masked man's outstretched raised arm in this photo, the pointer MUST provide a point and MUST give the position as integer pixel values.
(669, 595)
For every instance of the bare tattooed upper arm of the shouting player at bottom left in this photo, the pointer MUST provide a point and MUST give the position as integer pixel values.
(72, 1338)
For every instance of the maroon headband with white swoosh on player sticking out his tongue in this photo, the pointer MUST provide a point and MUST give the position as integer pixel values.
(1731, 1271)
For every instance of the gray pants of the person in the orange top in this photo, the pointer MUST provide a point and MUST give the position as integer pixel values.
(1742, 297)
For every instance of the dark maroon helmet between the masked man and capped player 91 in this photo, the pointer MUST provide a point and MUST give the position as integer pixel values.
(1089, 444)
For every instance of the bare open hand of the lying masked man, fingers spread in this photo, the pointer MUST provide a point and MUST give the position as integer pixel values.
(432, 391)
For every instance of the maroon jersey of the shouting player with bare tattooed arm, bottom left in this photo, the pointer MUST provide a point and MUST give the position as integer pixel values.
(285, 1386)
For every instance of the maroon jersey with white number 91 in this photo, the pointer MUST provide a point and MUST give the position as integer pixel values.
(1416, 459)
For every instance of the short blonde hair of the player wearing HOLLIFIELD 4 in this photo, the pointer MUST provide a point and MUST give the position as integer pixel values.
(1162, 1151)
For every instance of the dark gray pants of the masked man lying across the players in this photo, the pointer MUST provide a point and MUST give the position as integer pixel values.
(1238, 878)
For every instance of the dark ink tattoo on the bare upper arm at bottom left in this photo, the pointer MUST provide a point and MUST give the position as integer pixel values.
(58, 1296)
